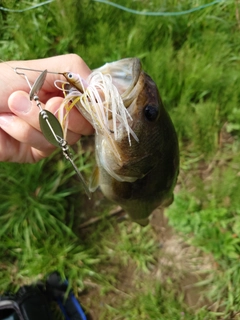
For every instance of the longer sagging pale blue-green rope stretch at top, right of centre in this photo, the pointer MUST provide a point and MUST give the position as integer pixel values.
(146, 13)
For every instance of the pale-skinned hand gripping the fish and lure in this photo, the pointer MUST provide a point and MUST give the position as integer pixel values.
(21, 139)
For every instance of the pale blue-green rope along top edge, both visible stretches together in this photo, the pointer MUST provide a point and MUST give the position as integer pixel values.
(144, 13)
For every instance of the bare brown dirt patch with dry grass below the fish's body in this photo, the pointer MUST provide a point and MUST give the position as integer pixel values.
(184, 264)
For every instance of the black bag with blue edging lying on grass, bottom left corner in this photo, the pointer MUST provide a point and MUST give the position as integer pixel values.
(33, 302)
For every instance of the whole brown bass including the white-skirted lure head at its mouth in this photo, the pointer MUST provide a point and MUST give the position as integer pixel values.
(136, 145)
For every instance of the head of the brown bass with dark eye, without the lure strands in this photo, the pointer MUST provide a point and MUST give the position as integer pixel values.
(124, 159)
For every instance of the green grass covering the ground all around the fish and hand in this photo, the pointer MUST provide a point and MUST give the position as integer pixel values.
(194, 59)
